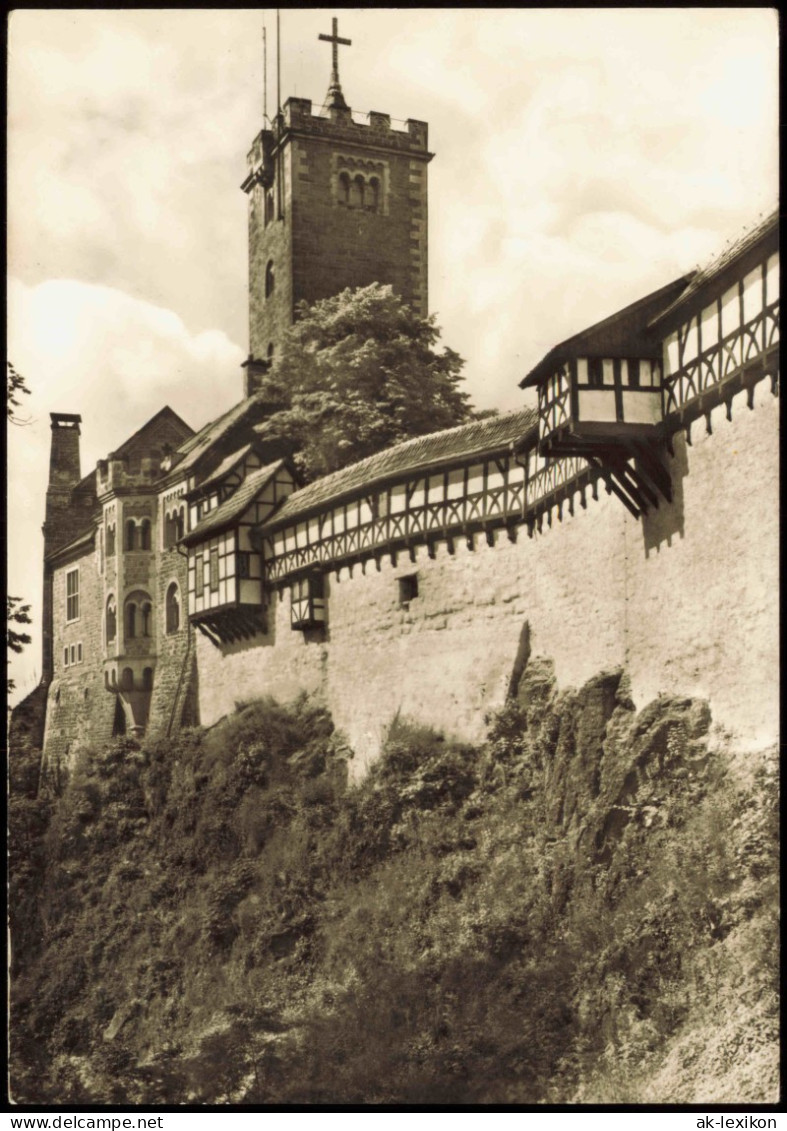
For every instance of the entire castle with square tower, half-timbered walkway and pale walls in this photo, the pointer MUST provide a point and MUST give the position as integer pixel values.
(629, 521)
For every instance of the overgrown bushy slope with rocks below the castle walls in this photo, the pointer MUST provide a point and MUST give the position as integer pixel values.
(584, 910)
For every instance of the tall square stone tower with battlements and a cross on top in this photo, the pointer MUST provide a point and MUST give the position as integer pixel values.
(334, 203)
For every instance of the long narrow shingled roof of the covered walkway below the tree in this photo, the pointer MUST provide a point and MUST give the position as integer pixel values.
(453, 446)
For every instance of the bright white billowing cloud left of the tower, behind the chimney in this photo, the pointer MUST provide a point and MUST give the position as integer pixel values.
(116, 361)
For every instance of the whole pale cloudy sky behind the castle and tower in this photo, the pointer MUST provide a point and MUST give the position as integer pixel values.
(584, 158)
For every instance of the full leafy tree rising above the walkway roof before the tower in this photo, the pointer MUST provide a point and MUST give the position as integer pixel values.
(357, 374)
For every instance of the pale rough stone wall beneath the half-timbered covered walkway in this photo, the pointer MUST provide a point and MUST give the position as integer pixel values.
(686, 601)
